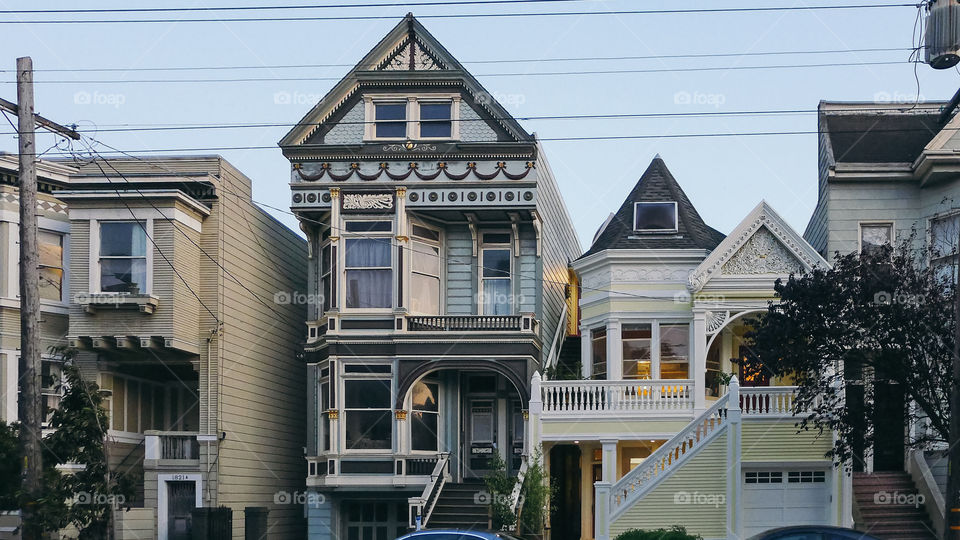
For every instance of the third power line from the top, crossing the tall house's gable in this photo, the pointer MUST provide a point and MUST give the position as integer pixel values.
(487, 61)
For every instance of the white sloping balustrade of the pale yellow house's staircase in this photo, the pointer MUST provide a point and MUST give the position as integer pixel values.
(665, 459)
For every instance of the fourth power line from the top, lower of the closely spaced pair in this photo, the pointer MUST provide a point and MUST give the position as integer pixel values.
(498, 74)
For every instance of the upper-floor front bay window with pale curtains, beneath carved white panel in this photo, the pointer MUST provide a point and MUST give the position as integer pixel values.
(368, 265)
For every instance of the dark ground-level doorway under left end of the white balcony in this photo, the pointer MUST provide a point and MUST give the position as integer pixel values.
(565, 477)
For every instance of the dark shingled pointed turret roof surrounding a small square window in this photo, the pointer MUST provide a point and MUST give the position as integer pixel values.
(656, 184)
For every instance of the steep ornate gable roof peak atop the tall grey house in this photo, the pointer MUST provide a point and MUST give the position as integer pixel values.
(408, 52)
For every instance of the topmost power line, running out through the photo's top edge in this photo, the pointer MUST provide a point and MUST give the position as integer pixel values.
(277, 8)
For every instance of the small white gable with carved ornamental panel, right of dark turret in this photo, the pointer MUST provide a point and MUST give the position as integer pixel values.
(790, 252)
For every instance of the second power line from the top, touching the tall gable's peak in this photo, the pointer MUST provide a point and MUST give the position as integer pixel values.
(468, 15)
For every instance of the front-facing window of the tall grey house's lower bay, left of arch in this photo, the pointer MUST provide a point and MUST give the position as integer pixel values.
(368, 418)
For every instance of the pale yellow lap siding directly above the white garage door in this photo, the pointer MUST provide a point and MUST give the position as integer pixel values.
(779, 441)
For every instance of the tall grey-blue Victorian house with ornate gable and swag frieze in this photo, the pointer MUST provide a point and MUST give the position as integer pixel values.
(438, 271)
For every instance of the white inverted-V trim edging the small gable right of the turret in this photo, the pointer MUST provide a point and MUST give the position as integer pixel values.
(763, 216)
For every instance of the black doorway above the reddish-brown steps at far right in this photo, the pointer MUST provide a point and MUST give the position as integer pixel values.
(888, 427)
